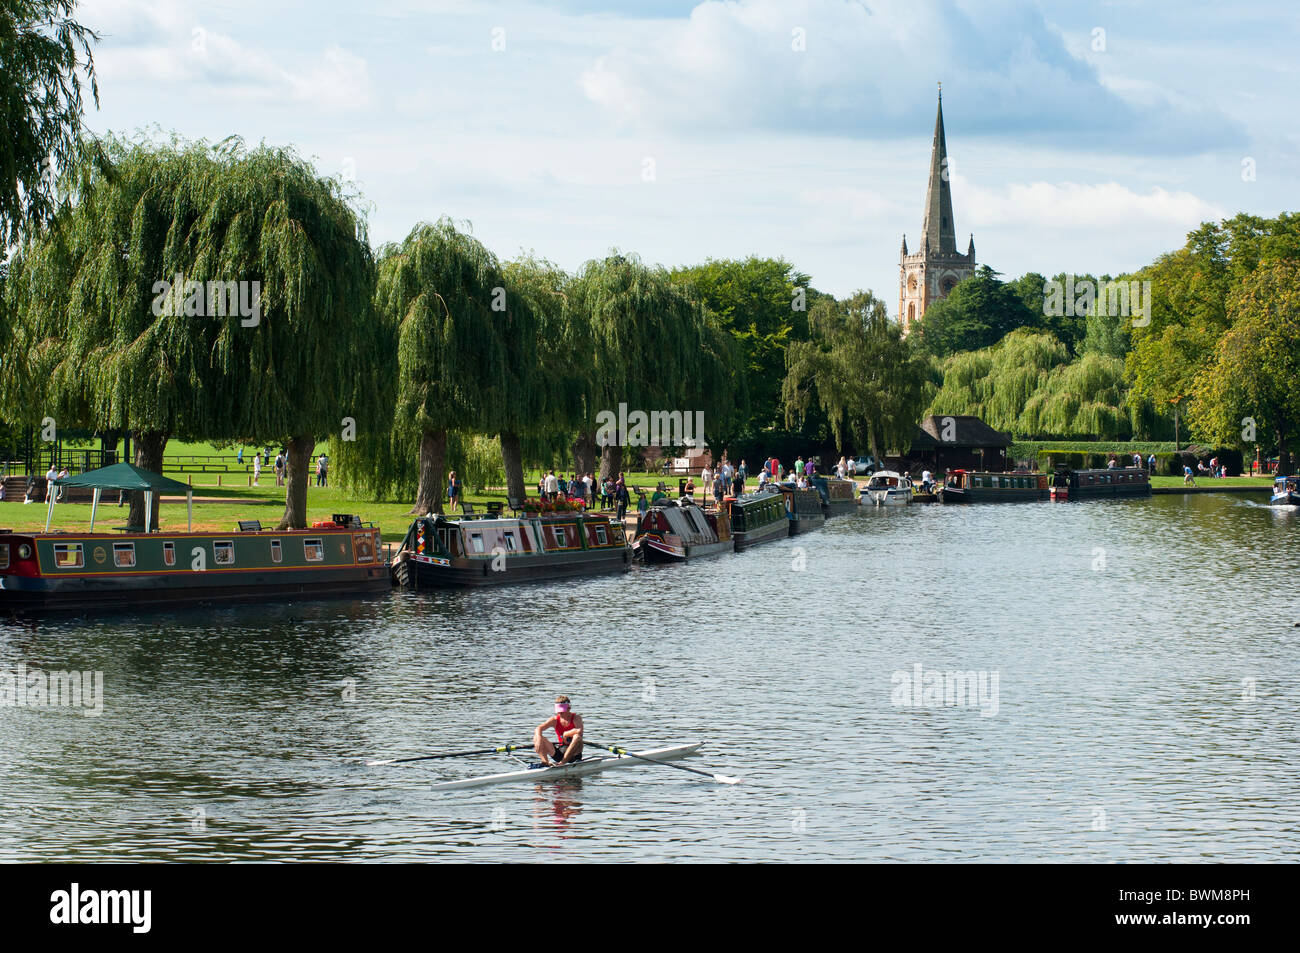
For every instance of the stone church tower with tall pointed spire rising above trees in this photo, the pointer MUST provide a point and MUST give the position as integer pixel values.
(937, 267)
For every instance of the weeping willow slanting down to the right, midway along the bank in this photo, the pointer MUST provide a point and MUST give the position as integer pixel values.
(652, 346)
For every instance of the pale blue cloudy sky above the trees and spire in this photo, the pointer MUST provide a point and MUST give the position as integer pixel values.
(1082, 137)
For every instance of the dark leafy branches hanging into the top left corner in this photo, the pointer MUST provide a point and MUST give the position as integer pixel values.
(46, 57)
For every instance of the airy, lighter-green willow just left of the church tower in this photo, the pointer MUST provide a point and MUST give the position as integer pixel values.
(860, 371)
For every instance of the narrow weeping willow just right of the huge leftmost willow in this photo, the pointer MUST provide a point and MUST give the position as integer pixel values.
(445, 296)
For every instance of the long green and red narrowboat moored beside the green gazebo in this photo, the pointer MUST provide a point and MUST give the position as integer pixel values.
(73, 571)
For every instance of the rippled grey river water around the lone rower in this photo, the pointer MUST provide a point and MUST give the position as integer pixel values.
(1147, 696)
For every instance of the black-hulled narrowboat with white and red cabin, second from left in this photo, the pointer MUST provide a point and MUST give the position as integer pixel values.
(469, 552)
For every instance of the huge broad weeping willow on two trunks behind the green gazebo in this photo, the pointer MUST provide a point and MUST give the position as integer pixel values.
(203, 292)
